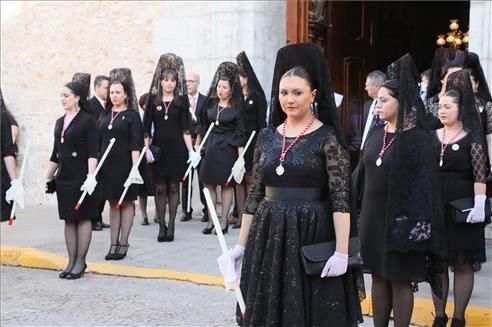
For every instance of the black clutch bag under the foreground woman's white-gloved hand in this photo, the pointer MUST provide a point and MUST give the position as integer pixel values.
(314, 256)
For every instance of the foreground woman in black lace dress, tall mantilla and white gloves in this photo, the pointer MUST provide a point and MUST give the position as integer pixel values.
(299, 196)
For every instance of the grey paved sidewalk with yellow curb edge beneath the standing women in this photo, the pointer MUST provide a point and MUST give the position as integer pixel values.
(191, 253)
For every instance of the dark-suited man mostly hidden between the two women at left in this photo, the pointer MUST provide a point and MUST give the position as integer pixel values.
(97, 105)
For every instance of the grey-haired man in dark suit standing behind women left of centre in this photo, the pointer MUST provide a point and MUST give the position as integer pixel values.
(196, 100)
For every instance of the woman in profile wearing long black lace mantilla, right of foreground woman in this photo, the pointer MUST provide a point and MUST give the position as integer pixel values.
(399, 196)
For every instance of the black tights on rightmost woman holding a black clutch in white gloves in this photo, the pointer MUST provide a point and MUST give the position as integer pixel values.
(463, 288)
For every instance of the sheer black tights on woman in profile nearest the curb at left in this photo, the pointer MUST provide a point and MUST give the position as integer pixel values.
(78, 235)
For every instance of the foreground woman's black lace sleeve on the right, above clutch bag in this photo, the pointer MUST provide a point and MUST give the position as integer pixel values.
(338, 170)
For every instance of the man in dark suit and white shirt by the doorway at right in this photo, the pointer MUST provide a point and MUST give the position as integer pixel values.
(374, 80)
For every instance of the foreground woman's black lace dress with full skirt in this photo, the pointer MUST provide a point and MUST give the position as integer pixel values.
(276, 290)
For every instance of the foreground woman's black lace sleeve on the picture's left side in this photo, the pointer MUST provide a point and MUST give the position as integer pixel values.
(256, 191)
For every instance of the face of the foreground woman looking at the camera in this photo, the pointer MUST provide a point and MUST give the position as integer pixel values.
(295, 96)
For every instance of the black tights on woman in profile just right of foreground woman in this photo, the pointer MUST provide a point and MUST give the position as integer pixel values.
(390, 295)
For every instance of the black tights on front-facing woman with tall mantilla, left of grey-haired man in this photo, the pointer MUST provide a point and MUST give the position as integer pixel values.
(164, 191)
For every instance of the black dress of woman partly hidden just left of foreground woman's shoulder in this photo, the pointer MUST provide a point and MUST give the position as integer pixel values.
(254, 114)
